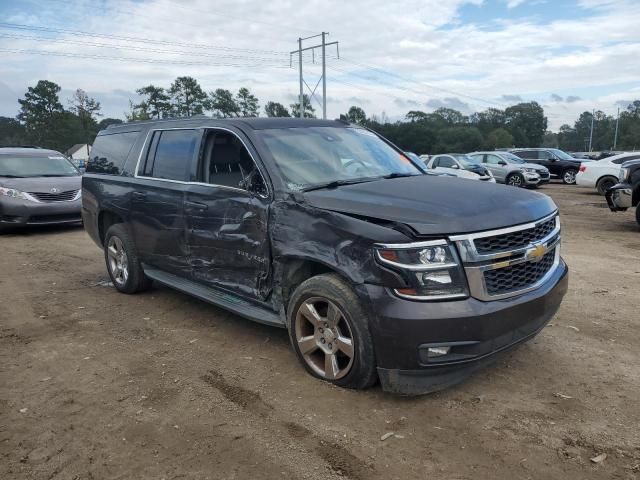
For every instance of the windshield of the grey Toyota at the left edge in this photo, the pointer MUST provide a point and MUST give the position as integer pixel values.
(45, 166)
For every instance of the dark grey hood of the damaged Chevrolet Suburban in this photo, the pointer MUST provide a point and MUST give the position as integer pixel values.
(436, 205)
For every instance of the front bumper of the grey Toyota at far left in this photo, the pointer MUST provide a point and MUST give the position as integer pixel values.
(17, 212)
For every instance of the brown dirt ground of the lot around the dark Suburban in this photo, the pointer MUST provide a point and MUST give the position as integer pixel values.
(99, 385)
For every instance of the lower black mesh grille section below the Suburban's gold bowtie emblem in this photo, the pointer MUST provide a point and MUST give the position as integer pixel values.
(516, 277)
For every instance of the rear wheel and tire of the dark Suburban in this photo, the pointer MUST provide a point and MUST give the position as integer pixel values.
(122, 261)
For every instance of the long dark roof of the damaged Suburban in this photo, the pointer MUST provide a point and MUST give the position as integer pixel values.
(253, 123)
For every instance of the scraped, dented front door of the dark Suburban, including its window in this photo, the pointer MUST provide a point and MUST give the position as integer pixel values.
(226, 215)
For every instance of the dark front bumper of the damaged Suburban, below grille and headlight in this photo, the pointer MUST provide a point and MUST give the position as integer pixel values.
(475, 331)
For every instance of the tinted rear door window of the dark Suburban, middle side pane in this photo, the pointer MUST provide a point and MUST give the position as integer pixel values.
(173, 154)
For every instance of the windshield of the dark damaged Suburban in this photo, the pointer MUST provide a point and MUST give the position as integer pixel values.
(312, 156)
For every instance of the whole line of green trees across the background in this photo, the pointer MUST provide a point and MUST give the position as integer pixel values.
(44, 121)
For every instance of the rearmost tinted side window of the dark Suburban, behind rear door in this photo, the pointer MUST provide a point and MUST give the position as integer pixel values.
(110, 152)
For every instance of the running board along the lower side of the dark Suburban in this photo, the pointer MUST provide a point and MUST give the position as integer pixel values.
(219, 298)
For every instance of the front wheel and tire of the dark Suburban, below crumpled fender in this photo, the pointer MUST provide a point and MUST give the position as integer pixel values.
(323, 341)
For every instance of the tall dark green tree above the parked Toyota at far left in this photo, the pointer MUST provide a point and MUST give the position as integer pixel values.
(38, 111)
